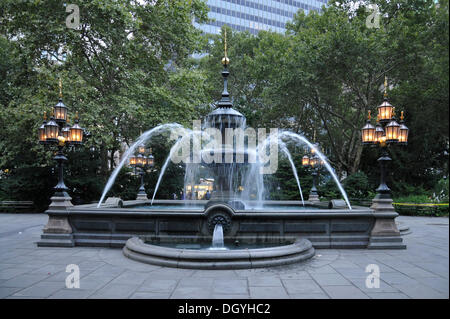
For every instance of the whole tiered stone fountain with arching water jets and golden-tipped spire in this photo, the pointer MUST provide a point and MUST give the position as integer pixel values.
(237, 227)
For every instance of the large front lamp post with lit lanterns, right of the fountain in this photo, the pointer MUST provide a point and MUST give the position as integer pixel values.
(385, 134)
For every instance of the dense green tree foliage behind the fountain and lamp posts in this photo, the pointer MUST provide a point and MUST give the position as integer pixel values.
(129, 66)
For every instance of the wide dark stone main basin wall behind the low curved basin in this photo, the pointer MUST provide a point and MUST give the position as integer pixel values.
(112, 226)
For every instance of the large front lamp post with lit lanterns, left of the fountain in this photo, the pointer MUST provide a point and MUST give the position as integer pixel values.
(57, 132)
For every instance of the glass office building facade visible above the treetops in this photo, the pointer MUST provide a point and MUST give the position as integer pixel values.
(255, 15)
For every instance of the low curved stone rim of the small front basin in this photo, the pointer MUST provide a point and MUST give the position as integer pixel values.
(137, 249)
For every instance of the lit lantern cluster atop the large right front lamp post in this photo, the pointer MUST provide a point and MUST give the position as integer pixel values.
(392, 132)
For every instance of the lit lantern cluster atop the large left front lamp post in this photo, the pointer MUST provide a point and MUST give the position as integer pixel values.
(57, 129)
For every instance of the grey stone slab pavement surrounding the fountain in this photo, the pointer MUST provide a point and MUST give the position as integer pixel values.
(26, 271)
